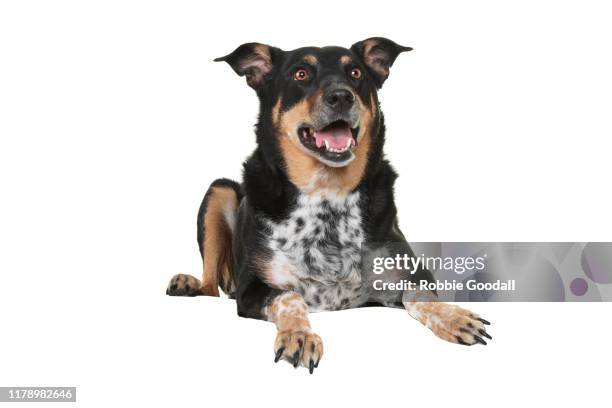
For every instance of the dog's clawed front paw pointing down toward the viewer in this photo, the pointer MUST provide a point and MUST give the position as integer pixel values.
(299, 347)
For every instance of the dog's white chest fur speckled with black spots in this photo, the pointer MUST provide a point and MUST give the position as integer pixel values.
(317, 251)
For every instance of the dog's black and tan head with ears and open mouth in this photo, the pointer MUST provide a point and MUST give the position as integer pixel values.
(319, 103)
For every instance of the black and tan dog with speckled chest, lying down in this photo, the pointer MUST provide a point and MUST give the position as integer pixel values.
(315, 190)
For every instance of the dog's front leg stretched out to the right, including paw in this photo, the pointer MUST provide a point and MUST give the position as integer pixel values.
(449, 322)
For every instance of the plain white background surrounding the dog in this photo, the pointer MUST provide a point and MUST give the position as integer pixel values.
(114, 119)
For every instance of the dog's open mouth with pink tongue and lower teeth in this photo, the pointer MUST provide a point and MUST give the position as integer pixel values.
(334, 142)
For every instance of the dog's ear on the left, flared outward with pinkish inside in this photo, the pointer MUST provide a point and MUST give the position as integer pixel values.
(253, 60)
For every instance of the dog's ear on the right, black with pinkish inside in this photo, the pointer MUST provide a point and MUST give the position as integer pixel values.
(378, 54)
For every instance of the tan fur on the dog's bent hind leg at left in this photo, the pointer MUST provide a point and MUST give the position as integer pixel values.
(218, 242)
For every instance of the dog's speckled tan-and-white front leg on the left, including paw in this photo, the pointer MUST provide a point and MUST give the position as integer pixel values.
(295, 341)
